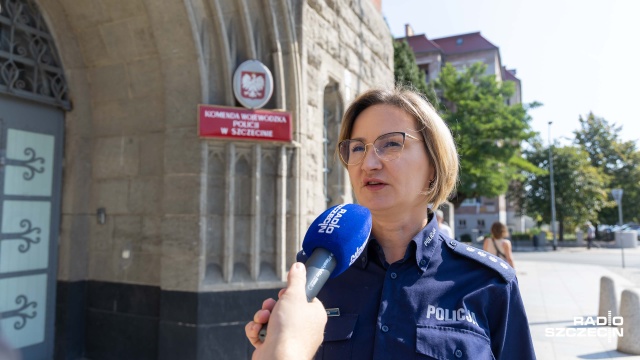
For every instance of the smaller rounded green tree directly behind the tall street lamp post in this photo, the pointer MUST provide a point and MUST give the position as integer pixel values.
(579, 187)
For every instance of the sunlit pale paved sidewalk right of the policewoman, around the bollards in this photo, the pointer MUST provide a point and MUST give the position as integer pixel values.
(554, 294)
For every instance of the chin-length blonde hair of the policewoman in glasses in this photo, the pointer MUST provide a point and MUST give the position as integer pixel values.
(441, 149)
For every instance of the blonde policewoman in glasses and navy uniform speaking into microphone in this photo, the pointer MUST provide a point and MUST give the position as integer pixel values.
(414, 293)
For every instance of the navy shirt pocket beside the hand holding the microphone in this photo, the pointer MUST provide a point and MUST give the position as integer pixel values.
(337, 337)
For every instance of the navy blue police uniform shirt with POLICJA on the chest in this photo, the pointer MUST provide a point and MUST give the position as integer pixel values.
(444, 300)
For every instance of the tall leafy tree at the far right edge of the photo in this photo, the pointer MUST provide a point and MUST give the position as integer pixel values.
(617, 160)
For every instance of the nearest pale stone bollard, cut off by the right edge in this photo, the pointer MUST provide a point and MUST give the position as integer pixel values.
(629, 342)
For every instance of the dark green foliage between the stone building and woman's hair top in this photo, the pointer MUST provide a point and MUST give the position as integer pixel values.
(406, 71)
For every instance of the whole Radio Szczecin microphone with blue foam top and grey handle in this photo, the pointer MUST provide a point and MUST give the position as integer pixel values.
(335, 240)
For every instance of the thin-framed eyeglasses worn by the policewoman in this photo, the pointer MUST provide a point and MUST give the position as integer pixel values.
(387, 147)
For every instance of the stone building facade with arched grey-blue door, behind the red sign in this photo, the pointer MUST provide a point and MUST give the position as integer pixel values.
(125, 235)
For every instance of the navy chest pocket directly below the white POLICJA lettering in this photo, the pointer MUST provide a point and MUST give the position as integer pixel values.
(440, 342)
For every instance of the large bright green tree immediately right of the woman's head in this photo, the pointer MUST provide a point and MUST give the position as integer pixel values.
(487, 131)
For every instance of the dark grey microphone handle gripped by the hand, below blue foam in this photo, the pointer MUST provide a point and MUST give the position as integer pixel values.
(319, 267)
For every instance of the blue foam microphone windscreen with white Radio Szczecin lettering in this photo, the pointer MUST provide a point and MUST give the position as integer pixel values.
(343, 230)
